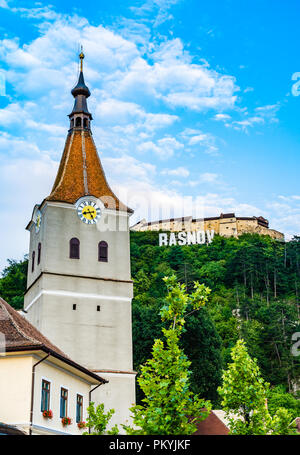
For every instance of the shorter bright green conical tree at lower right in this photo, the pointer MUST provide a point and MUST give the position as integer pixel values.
(244, 398)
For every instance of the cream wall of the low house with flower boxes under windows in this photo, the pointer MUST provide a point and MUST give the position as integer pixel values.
(15, 393)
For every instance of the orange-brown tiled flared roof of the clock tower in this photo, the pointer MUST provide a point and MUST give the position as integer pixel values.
(80, 173)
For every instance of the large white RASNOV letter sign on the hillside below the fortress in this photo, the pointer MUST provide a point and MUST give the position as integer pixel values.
(186, 238)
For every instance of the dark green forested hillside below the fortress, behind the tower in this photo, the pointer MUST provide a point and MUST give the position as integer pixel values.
(255, 284)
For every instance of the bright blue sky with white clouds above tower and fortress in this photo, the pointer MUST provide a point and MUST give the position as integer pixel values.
(192, 102)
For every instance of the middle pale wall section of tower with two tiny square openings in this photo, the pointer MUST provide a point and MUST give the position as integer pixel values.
(95, 339)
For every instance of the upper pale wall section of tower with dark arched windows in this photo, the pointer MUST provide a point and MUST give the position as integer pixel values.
(60, 223)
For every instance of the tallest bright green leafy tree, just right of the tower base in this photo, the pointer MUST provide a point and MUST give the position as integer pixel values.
(169, 406)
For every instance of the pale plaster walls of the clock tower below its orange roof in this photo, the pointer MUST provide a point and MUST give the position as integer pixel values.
(99, 340)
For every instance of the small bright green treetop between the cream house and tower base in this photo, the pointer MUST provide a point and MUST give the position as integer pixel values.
(98, 420)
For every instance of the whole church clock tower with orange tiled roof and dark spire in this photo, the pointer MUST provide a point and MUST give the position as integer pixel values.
(79, 286)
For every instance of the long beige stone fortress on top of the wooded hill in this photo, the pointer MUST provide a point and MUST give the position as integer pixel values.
(226, 225)
